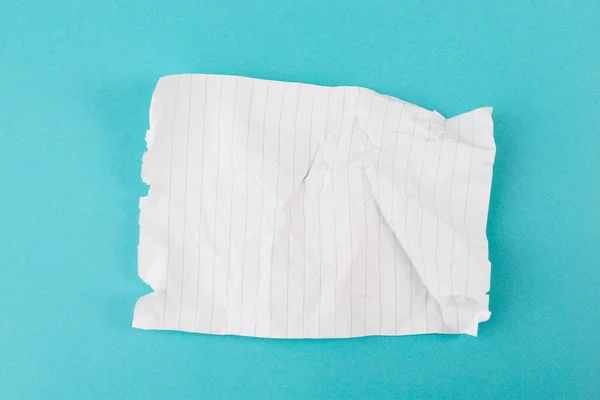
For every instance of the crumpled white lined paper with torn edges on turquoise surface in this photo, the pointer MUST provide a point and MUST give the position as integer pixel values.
(289, 210)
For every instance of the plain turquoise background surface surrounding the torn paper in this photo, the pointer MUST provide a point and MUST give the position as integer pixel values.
(76, 79)
